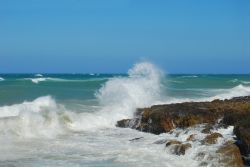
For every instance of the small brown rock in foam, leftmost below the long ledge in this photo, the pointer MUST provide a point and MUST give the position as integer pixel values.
(177, 147)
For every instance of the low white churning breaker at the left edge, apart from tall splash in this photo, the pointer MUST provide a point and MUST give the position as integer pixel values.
(31, 119)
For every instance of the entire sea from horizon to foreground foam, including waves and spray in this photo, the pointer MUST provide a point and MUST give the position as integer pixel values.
(69, 120)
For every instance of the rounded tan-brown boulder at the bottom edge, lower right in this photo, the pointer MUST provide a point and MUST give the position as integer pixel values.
(230, 156)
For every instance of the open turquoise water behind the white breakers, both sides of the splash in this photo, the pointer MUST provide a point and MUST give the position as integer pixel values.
(16, 88)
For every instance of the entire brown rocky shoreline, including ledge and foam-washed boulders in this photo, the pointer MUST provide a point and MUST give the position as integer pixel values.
(218, 113)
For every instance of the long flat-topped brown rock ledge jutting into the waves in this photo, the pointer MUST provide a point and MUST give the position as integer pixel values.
(163, 118)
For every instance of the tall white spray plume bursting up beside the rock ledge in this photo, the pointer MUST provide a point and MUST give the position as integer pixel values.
(120, 96)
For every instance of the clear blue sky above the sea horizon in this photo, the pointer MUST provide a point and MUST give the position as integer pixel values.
(106, 36)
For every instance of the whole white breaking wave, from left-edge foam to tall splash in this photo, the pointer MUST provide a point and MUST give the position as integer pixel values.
(119, 97)
